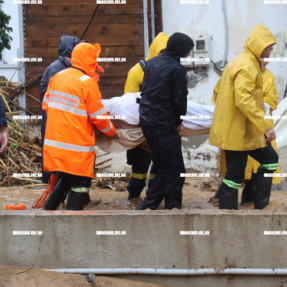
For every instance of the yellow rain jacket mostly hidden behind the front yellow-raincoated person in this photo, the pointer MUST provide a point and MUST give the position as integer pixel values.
(271, 98)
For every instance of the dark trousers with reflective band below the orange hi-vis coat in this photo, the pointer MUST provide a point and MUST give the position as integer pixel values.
(76, 186)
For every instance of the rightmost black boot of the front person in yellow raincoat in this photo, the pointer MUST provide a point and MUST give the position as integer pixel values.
(262, 189)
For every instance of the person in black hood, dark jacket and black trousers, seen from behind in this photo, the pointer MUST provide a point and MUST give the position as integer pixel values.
(164, 100)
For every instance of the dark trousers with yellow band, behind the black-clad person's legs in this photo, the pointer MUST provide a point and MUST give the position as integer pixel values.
(140, 161)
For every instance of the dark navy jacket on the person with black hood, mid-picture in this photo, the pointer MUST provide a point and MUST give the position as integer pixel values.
(164, 92)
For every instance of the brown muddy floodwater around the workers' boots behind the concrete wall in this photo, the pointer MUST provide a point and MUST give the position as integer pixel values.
(196, 195)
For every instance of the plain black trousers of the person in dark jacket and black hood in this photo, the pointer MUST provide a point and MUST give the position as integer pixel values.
(165, 145)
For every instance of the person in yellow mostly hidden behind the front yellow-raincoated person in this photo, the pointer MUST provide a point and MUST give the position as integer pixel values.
(270, 98)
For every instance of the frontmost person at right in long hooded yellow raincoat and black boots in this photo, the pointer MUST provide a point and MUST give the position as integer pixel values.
(239, 127)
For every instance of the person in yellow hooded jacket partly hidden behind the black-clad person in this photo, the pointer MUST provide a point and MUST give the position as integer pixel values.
(138, 158)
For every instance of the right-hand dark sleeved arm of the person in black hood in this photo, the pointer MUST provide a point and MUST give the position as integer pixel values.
(180, 92)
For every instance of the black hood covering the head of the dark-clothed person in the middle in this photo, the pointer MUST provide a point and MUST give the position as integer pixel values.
(179, 45)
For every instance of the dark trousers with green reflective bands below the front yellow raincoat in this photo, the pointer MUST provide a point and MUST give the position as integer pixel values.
(236, 164)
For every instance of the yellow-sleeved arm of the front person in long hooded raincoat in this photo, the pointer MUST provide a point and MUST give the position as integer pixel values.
(244, 85)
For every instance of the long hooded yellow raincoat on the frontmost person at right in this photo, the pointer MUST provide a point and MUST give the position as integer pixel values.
(238, 122)
